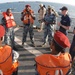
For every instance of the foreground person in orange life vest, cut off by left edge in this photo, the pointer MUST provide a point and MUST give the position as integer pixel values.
(8, 66)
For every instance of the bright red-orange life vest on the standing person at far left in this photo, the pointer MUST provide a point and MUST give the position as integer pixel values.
(9, 20)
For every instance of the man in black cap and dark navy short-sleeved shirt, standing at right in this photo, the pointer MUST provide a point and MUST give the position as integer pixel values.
(65, 20)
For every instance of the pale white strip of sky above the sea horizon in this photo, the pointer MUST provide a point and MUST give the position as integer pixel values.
(71, 2)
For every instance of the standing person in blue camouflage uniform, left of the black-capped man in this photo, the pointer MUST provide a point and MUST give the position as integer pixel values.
(49, 20)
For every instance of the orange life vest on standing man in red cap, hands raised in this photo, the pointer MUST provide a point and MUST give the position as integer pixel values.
(27, 16)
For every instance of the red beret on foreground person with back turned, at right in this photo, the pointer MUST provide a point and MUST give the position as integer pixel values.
(61, 39)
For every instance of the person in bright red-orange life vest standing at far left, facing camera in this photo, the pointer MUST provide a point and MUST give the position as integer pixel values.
(9, 23)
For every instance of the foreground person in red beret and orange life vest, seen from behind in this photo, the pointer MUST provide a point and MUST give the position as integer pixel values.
(58, 61)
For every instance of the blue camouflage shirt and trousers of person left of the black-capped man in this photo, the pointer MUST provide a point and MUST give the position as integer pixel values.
(48, 28)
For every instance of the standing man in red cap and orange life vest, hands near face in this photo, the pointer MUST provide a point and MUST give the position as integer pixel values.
(28, 18)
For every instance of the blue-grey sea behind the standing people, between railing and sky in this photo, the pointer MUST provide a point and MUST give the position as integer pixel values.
(19, 6)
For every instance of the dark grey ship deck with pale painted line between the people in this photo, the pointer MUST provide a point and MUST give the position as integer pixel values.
(28, 52)
